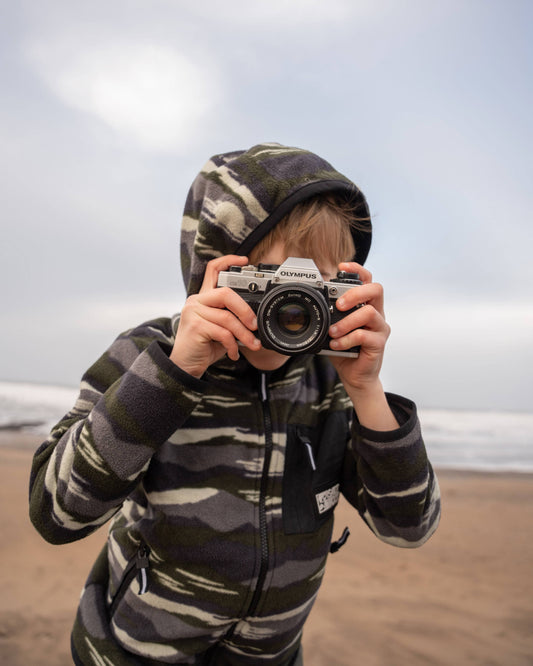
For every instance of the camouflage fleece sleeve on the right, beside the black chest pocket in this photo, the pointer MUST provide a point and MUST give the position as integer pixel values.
(390, 481)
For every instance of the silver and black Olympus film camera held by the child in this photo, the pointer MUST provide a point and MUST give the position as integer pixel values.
(294, 305)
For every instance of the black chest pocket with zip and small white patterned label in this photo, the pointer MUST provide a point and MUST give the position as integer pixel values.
(312, 475)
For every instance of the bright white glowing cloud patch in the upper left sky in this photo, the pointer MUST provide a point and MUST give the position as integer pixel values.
(151, 93)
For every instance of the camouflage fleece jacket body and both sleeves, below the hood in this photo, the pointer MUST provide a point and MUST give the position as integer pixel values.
(220, 494)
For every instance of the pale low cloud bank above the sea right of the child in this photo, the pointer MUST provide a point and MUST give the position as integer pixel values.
(462, 354)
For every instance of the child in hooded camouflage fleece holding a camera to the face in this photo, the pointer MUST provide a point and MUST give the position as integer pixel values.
(219, 461)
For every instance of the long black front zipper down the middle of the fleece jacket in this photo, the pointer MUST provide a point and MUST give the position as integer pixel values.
(263, 528)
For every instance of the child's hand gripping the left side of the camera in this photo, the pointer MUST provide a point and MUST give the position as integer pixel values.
(213, 321)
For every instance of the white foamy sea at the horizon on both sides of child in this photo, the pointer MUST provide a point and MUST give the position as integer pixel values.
(455, 439)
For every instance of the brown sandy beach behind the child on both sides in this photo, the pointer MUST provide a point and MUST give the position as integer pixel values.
(465, 597)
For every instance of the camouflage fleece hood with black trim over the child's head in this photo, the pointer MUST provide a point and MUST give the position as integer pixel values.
(239, 197)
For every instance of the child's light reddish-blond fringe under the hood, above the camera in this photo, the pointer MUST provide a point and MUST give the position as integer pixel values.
(318, 228)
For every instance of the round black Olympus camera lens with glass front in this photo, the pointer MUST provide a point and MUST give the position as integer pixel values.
(293, 319)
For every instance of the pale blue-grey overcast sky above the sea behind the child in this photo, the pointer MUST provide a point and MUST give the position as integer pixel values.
(110, 108)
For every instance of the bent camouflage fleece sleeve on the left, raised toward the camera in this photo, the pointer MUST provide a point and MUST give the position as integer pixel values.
(131, 401)
